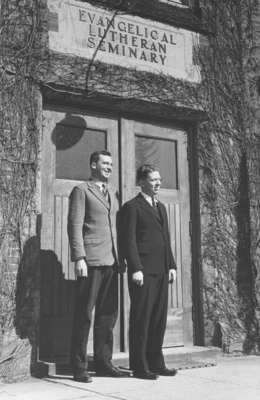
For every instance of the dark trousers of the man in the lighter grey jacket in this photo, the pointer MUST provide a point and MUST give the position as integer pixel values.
(99, 290)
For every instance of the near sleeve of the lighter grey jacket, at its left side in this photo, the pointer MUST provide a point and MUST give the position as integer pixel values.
(76, 218)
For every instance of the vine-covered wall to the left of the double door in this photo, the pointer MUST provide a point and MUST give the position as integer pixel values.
(20, 110)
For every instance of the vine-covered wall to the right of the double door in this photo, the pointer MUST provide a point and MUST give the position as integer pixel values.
(230, 177)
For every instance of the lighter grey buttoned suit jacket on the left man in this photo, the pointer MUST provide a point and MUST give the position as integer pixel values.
(92, 224)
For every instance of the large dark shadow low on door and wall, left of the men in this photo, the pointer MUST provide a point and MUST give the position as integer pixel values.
(44, 311)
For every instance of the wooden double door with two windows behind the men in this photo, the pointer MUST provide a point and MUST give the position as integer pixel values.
(69, 137)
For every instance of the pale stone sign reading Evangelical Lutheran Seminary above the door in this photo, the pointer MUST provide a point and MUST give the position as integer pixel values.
(80, 29)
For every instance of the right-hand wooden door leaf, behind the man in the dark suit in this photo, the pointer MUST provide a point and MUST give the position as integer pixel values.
(167, 149)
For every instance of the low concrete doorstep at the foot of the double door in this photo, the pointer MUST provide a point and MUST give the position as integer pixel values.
(178, 357)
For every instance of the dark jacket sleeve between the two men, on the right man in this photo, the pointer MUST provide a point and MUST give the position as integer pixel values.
(128, 237)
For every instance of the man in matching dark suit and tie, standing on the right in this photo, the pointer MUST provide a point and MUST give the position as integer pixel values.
(150, 263)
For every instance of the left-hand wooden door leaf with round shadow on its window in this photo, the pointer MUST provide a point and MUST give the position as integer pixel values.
(68, 140)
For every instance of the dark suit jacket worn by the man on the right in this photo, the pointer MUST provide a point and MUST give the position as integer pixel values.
(145, 241)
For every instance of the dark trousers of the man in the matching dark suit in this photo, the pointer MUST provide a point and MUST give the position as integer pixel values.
(148, 317)
